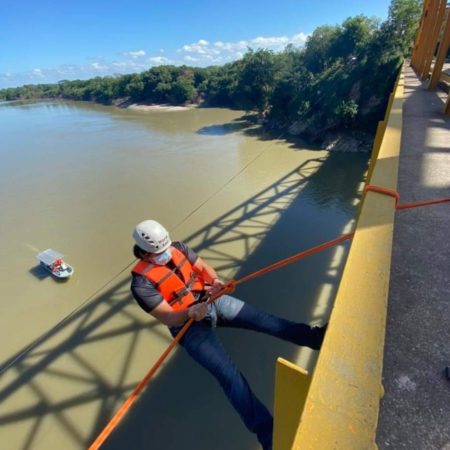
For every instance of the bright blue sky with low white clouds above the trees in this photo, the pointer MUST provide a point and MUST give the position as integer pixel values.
(47, 41)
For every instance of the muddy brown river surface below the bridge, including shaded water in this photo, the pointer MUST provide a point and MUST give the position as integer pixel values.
(77, 177)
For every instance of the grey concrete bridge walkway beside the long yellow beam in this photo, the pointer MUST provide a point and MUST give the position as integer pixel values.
(415, 411)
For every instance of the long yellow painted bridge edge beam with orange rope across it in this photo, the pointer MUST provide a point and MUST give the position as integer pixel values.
(341, 409)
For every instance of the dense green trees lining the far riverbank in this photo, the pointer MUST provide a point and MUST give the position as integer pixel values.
(340, 79)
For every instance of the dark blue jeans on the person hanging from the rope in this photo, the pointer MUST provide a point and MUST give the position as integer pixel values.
(203, 346)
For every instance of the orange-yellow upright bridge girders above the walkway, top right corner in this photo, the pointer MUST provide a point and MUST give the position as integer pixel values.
(432, 44)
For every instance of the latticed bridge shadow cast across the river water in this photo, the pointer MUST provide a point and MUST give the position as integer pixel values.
(183, 407)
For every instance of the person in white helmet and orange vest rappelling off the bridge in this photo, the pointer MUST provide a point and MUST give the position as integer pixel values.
(171, 282)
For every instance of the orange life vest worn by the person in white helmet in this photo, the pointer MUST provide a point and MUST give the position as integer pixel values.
(175, 285)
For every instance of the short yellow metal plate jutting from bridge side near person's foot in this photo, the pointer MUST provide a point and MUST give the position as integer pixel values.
(291, 388)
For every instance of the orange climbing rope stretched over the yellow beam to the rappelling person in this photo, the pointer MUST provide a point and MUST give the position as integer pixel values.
(228, 288)
